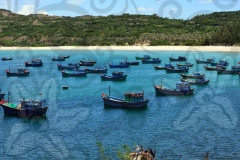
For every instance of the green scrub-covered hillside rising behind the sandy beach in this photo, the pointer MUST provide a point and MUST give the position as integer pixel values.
(218, 28)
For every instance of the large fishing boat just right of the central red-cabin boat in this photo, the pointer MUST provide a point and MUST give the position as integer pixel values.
(182, 89)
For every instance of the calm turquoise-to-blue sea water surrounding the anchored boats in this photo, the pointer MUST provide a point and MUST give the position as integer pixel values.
(76, 119)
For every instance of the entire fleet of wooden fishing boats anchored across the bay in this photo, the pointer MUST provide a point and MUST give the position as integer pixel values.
(132, 100)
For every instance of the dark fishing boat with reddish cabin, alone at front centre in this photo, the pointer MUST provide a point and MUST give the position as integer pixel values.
(132, 100)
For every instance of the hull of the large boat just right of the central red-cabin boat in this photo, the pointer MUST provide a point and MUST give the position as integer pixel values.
(173, 92)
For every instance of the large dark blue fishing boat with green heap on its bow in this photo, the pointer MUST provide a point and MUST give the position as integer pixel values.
(26, 108)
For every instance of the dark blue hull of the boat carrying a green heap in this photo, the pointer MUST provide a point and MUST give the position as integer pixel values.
(24, 113)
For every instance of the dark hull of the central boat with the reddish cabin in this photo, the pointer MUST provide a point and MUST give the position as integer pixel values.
(118, 103)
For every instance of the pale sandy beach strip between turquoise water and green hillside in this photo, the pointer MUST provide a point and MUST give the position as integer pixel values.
(133, 48)
